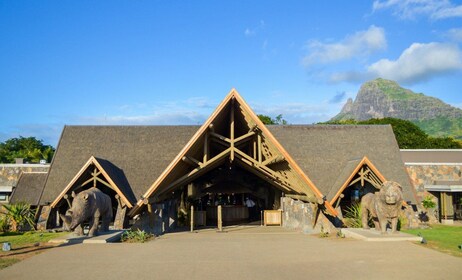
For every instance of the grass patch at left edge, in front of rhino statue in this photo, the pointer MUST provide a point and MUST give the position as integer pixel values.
(24, 245)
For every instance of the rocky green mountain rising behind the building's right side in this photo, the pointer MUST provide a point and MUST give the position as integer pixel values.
(382, 98)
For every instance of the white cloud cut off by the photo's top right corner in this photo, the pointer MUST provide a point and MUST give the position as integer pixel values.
(409, 9)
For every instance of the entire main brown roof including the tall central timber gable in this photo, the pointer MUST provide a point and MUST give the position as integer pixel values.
(144, 161)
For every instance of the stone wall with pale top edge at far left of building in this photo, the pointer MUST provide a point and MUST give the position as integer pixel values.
(9, 173)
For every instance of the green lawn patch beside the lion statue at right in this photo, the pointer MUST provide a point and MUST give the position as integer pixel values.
(443, 238)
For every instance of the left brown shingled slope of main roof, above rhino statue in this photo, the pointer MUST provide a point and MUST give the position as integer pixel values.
(135, 155)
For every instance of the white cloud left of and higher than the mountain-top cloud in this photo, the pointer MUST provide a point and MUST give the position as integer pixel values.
(359, 44)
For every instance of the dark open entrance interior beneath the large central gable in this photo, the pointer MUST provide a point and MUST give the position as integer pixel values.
(241, 194)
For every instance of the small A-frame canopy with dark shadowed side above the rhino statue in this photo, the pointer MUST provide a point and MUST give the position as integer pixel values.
(97, 172)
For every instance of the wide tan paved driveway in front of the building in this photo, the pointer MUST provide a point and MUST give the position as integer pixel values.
(241, 253)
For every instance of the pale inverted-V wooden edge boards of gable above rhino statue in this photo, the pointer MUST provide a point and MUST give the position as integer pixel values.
(109, 182)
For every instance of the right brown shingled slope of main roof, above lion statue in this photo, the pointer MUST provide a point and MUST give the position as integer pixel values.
(328, 153)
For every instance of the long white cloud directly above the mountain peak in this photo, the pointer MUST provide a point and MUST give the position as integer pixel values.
(417, 63)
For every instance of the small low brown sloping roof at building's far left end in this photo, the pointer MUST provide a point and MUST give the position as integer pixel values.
(29, 188)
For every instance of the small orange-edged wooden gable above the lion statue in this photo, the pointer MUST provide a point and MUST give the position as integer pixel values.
(376, 178)
